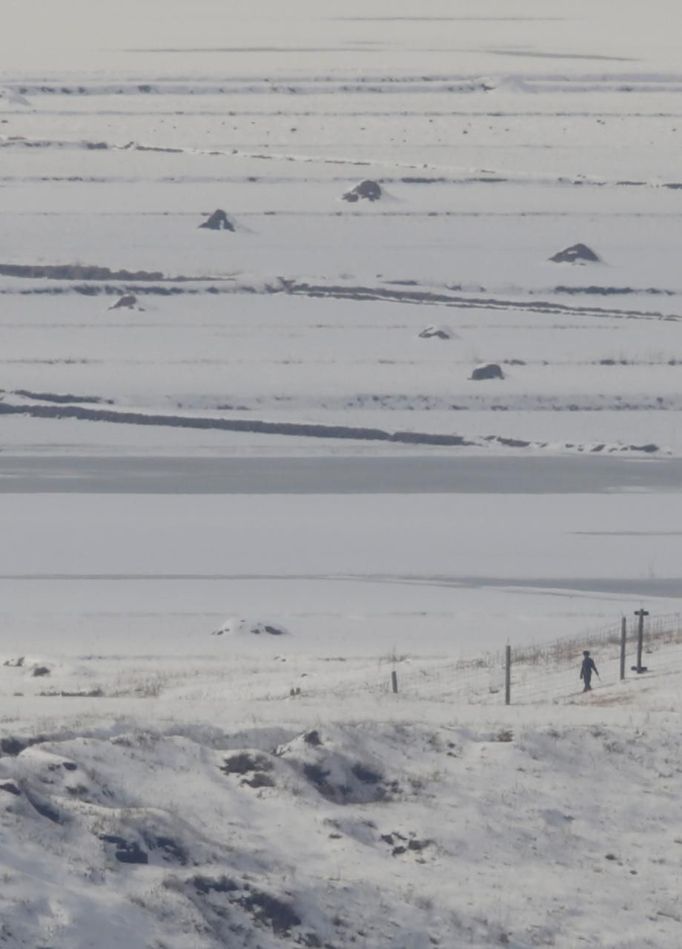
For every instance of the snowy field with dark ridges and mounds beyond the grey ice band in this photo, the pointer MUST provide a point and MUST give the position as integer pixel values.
(500, 134)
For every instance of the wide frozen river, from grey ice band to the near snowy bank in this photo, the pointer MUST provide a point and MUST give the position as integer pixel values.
(354, 554)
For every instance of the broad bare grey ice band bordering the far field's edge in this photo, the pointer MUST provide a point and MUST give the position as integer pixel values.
(433, 474)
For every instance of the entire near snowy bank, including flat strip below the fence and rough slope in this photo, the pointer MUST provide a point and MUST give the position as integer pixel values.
(190, 808)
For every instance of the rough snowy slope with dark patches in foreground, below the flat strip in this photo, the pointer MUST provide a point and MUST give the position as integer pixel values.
(150, 838)
